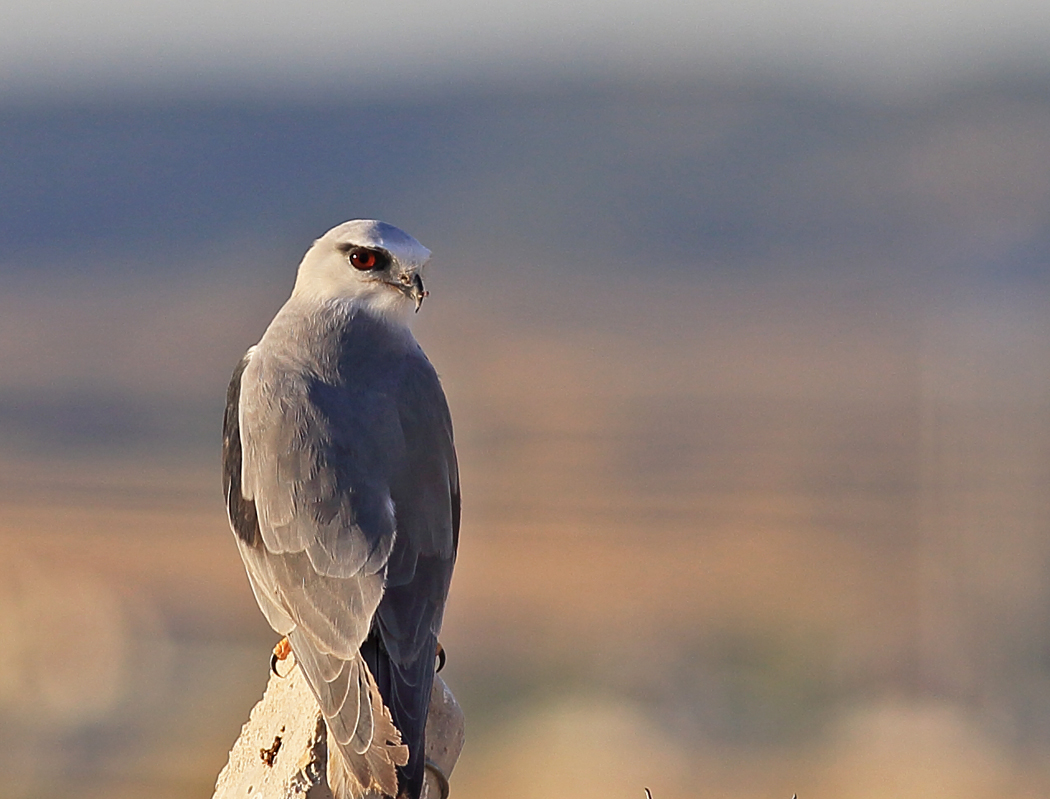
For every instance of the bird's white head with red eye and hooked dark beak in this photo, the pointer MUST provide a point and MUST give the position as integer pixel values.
(374, 264)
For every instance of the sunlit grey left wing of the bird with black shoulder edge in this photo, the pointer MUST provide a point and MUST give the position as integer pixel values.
(313, 549)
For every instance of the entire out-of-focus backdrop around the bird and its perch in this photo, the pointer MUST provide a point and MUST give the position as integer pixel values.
(743, 313)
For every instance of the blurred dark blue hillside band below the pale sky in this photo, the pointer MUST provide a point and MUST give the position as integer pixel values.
(722, 172)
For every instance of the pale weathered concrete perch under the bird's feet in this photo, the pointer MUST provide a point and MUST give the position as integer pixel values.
(283, 751)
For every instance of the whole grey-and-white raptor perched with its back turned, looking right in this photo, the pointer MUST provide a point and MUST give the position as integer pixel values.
(342, 487)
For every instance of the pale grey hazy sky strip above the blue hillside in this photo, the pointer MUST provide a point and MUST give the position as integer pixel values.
(889, 45)
